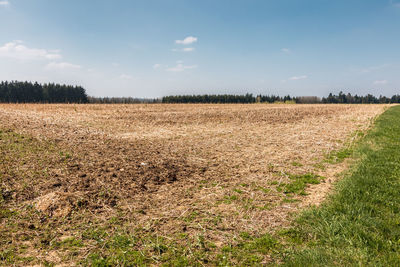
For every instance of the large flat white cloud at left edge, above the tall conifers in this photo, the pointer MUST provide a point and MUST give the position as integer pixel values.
(17, 50)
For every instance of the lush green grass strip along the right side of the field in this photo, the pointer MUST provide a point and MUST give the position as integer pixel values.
(359, 225)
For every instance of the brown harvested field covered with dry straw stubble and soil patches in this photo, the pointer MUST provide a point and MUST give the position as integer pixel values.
(209, 171)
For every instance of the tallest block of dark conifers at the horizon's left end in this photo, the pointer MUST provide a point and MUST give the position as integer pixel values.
(28, 92)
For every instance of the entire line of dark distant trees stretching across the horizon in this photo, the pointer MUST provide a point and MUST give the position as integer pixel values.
(28, 92)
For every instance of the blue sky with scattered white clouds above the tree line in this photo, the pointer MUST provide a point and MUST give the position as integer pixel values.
(153, 48)
